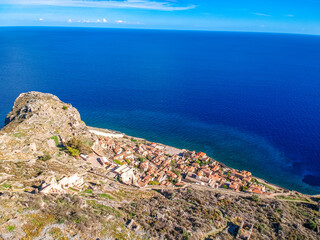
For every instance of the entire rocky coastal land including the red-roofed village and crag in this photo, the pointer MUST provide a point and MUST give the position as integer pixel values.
(92, 183)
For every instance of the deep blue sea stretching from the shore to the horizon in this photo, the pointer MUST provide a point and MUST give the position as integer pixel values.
(250, 100)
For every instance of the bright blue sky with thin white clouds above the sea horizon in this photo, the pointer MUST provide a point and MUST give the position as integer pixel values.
(285, 16)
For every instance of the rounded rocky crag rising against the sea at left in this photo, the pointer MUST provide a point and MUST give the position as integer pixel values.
(46, 113)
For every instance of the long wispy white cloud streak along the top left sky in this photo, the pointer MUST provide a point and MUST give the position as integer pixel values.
(140, 4)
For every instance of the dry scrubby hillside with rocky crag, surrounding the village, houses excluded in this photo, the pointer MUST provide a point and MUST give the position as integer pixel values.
(48, 192)
